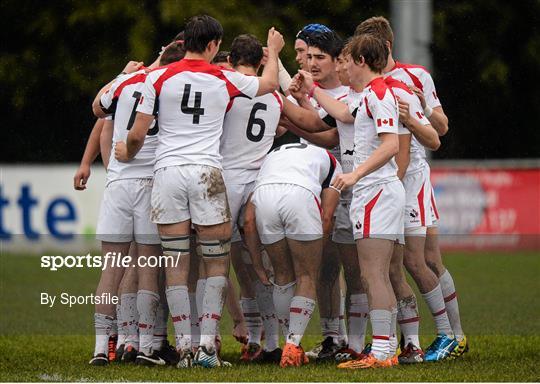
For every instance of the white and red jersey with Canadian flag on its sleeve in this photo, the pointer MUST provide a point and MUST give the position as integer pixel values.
(376, 114)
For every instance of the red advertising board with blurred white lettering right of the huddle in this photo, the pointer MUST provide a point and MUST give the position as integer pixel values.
(488, 208)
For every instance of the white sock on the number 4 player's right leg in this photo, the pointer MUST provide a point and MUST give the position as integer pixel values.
(214, 297)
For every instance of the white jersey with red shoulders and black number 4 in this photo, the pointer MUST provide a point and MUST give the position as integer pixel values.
(190, 98)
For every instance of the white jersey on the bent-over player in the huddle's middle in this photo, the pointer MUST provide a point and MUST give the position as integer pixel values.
(308, 166)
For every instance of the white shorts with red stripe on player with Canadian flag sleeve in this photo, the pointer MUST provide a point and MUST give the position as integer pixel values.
(377, 211)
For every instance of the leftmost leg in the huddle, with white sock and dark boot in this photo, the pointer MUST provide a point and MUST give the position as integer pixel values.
(105, 313)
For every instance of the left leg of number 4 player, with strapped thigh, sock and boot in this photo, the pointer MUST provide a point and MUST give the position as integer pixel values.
(176, 245)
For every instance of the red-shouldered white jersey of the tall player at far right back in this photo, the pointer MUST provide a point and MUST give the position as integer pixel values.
(418, 76)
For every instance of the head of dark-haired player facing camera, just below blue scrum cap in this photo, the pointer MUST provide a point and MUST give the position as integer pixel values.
(323, 50)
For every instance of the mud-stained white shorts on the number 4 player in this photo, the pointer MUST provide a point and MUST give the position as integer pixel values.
(190, 191)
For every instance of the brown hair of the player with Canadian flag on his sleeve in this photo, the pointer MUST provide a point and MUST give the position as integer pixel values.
(372, 49)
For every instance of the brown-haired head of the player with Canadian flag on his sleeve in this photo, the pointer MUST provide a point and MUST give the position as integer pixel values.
(367, 54)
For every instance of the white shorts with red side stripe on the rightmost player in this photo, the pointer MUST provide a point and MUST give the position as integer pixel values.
(417, 201)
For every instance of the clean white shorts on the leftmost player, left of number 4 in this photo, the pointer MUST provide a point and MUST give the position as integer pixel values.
(124, 214)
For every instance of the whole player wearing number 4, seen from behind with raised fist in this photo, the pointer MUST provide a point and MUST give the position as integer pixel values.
(188, 184)
